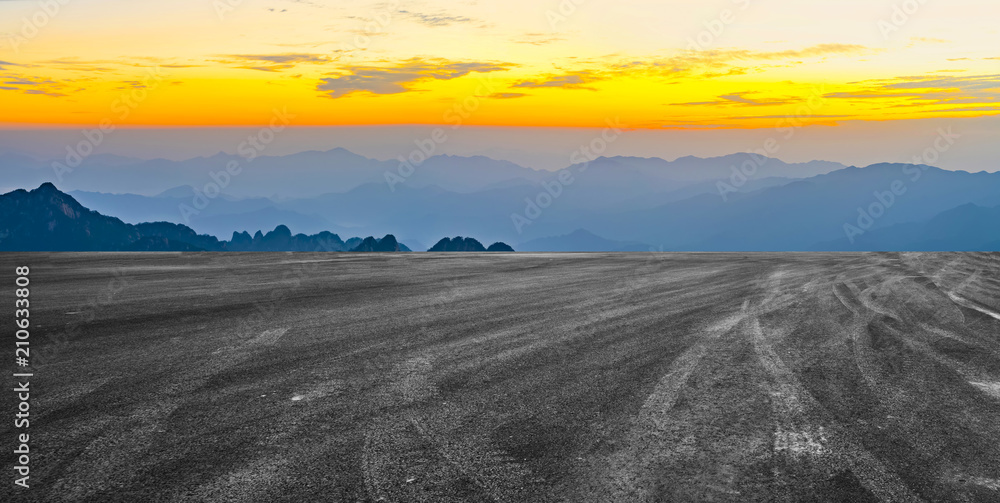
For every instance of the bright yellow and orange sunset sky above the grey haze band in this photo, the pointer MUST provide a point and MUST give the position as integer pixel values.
(717, 65)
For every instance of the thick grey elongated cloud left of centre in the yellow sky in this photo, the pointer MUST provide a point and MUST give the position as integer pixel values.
(401, 77)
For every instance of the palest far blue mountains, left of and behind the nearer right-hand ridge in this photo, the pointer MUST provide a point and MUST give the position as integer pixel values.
(312, 192)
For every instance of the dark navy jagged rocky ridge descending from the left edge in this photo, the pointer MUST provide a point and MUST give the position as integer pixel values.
(46, 219)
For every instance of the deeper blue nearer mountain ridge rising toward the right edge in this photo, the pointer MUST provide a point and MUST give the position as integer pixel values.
(799, 215)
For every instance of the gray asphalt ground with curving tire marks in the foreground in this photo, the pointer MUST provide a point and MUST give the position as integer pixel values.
(511, 377)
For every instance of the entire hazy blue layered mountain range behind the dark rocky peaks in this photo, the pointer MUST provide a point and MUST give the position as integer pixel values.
(740, 202)
